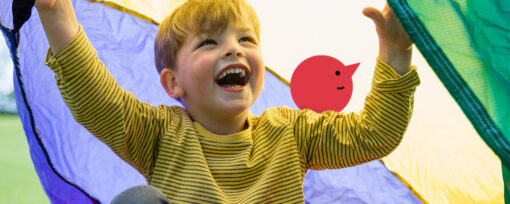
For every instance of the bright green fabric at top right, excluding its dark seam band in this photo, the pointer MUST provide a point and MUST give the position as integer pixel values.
(475, 36)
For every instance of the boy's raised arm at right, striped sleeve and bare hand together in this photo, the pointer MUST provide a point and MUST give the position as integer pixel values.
(337, 140)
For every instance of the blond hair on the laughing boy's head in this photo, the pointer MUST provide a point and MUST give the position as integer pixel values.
(195, 17)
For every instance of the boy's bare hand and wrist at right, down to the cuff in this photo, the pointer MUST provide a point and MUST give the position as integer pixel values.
(395, 46)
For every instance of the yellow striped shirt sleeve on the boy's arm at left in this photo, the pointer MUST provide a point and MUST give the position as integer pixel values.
(129, 127)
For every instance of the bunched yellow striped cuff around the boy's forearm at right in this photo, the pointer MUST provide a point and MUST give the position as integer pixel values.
(387, 80)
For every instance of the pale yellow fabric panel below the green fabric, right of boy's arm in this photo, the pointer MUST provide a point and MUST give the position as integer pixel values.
(442, 157)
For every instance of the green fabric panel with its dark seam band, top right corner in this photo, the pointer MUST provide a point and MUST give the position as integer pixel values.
(467, 43)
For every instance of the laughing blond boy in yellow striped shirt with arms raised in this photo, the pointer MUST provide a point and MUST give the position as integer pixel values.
(208, 54)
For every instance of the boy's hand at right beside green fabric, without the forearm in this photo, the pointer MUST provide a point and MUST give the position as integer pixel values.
(388, 28)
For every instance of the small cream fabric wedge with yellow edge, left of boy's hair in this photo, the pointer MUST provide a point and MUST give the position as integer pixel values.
(150, 9)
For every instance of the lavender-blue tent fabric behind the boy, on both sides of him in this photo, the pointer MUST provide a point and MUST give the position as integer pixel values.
(75, 167)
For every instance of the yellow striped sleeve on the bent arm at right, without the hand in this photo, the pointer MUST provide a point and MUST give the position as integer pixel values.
(333, 140)
